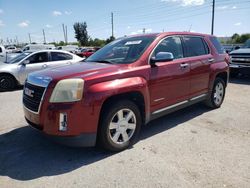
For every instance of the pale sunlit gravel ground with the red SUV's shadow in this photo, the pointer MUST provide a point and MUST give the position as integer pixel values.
(194, 147)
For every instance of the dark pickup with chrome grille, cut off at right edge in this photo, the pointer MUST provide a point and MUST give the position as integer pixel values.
(240, 60)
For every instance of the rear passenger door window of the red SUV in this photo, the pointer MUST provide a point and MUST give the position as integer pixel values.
(195, 46)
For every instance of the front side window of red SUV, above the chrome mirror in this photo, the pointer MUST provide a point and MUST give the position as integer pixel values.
(170, 44)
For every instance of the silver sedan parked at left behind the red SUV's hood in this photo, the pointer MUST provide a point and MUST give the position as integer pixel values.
(15, 71)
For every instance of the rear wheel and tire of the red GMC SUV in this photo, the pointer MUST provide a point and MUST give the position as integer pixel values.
(217, 95)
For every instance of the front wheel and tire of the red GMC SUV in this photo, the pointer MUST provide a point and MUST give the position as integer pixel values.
(117, 133)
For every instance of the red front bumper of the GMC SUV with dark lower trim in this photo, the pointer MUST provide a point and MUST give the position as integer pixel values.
(81, 128)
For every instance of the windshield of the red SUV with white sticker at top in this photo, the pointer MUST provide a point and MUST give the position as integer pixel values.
(122, 51)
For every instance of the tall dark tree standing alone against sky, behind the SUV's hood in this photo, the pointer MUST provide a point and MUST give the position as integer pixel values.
(81, 33)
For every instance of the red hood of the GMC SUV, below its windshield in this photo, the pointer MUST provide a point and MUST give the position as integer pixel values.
(83, 70)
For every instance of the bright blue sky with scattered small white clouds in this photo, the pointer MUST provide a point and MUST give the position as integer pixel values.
(19, 18)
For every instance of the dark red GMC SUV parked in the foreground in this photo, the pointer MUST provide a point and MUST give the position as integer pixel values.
(126, 84)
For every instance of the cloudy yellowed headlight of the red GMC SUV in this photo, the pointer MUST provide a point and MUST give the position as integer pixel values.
(68, 90)
